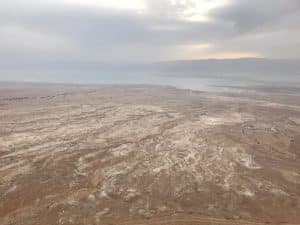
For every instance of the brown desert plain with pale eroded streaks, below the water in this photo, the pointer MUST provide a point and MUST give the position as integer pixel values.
(135, 155)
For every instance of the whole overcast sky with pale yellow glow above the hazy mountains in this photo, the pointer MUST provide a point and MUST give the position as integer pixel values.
(41, 33)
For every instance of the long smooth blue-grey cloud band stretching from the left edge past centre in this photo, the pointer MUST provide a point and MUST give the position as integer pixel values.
(102, 27)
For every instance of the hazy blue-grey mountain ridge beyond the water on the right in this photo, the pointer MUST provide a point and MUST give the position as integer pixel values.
(232, 66)
